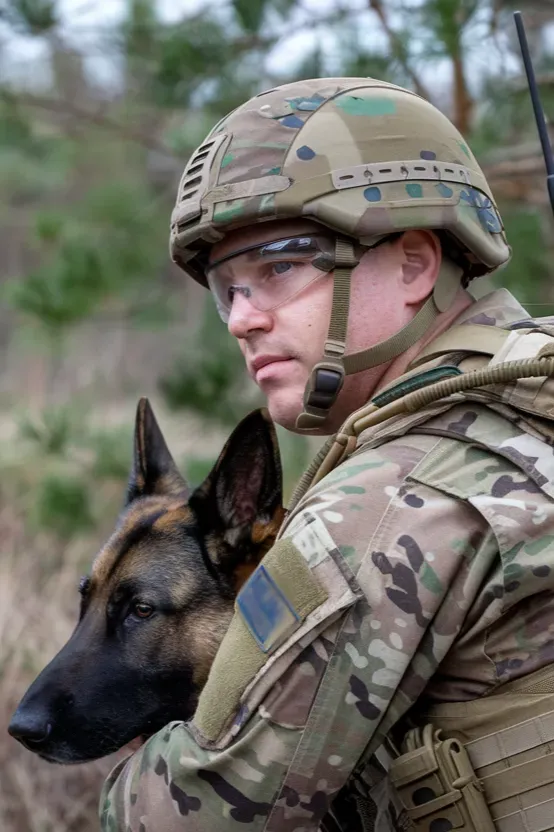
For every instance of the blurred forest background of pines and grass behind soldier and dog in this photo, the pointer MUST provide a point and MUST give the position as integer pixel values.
(101, 102)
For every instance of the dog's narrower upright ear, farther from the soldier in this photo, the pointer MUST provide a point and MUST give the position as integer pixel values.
(153, 472)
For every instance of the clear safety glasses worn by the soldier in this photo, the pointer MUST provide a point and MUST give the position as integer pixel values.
(269, 274)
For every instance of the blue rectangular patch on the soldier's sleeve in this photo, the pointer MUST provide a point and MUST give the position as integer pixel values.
(265, 609)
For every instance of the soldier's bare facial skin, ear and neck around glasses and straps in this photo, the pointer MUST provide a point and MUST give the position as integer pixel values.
(281, 345)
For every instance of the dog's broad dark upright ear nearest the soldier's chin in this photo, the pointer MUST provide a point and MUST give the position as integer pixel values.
(241, 499)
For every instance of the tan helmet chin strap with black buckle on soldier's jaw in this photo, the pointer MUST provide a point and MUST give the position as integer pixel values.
(327, 376)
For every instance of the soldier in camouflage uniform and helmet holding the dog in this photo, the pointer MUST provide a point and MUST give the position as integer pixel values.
(337, 223)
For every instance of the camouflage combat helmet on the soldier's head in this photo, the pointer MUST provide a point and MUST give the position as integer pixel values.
(360, 156)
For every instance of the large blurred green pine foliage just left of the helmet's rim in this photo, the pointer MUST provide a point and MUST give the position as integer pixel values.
(93, 254)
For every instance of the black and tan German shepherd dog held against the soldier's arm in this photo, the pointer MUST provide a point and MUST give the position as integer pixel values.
(159, 598)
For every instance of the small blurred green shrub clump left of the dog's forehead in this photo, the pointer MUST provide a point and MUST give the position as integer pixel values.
(63, 505)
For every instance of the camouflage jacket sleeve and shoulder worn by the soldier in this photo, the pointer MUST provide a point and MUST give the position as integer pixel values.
(420, 569)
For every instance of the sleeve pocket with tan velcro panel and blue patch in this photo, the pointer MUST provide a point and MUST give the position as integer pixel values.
(279, 612)
